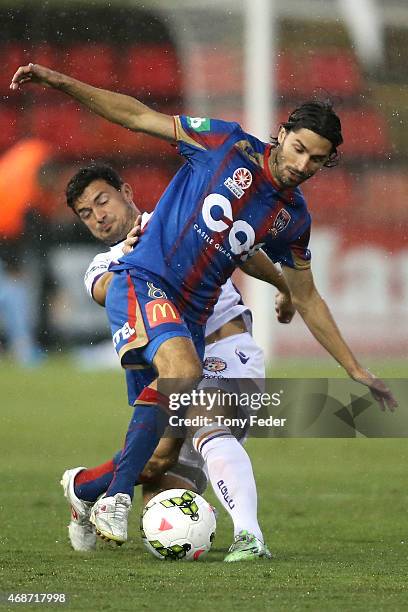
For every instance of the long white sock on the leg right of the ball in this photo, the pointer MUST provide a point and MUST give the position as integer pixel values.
(231, 476)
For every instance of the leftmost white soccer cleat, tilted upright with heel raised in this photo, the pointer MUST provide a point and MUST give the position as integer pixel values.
(80, 530)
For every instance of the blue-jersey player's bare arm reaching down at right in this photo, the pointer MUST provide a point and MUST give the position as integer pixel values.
(318, 318)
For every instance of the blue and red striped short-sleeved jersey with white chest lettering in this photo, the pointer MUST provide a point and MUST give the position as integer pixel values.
(220, 208)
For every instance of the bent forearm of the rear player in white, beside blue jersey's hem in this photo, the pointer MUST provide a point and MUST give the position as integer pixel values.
(261, 267)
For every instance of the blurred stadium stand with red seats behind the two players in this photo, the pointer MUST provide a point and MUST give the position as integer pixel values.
(359, 209)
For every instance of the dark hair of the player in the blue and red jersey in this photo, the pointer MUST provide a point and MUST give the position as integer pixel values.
(319, 117)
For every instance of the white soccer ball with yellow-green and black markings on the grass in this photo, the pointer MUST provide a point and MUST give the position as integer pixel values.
(178, 524)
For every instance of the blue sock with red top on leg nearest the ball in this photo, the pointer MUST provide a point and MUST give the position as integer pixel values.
(144, 432)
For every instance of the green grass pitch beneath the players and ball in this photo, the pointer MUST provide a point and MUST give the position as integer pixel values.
(334, 511)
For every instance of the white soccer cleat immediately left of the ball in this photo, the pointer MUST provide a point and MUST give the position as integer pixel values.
(110, 517)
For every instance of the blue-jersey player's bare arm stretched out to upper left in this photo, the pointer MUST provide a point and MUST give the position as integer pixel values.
(115, 107)
